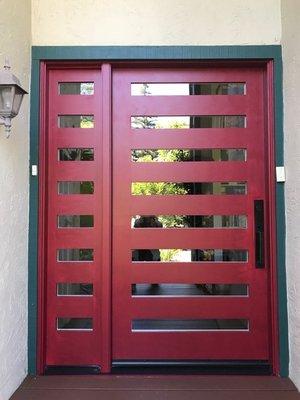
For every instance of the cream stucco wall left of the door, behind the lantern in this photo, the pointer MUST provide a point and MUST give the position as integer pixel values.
(14, 44)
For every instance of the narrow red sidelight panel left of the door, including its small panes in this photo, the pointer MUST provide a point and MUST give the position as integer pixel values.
(74, 192)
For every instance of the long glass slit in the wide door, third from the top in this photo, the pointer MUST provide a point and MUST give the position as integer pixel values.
(183, 155)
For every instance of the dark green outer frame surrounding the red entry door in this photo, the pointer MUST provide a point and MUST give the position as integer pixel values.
(144, 53)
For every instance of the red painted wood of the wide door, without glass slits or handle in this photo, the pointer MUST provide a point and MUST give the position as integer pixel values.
(253, 344)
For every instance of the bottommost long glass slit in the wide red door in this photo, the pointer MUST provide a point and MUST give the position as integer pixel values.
(183, 325)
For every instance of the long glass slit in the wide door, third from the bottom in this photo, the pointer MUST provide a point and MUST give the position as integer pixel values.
(189, 255)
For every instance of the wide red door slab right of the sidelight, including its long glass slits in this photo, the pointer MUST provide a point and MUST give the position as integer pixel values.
(172, 285)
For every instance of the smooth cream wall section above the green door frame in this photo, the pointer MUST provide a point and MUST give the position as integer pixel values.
(155, 22)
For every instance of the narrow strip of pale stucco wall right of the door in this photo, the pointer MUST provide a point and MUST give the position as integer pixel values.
(291, 68)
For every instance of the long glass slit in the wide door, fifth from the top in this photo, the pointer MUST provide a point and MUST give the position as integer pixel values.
(189, 221)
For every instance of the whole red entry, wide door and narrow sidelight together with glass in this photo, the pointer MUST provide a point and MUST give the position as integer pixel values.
(169, 166)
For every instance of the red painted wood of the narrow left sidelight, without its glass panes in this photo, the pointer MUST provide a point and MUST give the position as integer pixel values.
(75, 347)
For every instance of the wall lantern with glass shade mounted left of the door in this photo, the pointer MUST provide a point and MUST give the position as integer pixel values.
(11, 95)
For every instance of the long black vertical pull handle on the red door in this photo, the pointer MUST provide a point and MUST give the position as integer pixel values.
(259, 233)
